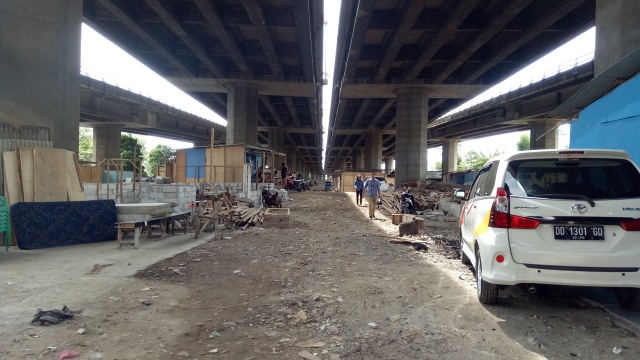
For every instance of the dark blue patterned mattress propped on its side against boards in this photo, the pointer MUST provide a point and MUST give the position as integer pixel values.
(40, 225)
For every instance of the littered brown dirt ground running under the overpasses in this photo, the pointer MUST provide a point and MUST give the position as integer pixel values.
(332, 286)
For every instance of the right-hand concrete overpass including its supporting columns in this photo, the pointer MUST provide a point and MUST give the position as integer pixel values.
(426, 58)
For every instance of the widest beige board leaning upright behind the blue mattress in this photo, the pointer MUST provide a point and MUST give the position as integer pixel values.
(50, 174)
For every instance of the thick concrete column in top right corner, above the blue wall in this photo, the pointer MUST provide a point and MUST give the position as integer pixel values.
(617, 34)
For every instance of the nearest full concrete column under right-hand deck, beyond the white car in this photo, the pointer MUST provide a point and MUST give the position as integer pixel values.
(411, 135)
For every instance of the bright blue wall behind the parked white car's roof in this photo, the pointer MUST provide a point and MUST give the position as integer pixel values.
(612, 122)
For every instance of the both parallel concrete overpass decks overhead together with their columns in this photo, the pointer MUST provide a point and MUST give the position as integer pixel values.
(258, 63)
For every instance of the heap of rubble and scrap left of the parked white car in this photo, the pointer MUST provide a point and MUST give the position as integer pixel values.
(426, 196)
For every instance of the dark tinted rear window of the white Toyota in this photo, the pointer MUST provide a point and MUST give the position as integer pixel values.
(595, 178)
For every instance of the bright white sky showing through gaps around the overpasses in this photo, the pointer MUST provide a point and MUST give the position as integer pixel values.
(105, 61)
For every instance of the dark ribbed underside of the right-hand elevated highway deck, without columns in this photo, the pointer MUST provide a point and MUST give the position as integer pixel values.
(447, 50)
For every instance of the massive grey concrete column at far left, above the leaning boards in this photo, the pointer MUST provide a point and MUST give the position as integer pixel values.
(39, 67)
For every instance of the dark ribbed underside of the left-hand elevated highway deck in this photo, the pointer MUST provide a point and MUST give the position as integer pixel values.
(212, 49)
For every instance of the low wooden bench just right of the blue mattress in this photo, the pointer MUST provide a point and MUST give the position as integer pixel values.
(166, 223)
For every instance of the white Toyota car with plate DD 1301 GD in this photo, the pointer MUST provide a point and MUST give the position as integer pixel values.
(559, 217)
